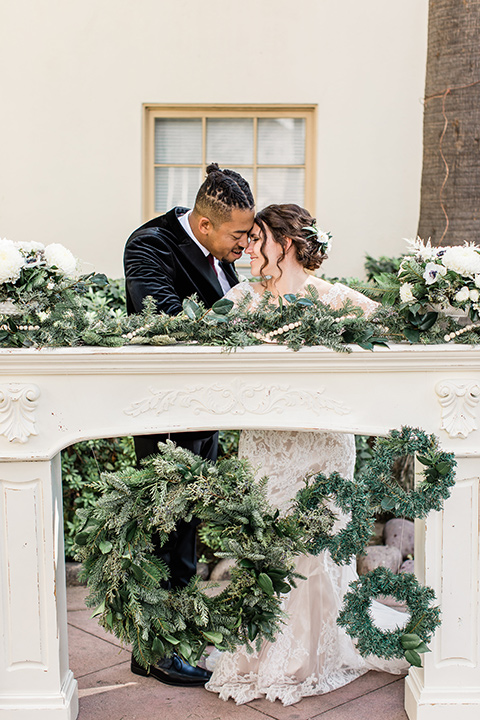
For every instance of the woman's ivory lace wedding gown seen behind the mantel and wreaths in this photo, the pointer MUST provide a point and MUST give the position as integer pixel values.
(311, 654)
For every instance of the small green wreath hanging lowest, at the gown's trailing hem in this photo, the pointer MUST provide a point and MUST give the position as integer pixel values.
(409, 641)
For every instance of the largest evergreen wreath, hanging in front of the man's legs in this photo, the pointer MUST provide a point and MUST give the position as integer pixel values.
(125, 577)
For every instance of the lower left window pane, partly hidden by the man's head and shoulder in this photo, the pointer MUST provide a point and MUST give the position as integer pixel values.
(176, 186)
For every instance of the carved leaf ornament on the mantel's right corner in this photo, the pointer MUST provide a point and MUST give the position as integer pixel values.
(458, 401)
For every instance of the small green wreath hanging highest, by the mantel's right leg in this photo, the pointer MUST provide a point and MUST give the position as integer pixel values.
(431, 491)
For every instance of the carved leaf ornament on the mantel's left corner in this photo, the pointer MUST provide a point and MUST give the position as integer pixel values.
(17, 411)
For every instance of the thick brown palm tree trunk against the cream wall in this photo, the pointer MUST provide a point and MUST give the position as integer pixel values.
(450, 194)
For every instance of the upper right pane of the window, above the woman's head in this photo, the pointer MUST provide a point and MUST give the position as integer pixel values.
(281, 141)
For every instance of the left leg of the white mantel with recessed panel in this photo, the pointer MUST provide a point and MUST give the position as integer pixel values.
(35, 681)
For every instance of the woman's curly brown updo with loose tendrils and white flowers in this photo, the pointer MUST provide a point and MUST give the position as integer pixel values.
(294, 222)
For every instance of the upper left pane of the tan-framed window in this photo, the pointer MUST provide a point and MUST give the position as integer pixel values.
(178, 140)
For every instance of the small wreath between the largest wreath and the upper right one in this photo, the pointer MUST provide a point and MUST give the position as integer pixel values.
(350, 497)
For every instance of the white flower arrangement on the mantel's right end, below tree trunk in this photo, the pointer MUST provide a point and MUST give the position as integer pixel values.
(441, 277)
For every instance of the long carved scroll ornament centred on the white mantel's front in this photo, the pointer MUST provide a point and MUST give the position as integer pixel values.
(238, 398)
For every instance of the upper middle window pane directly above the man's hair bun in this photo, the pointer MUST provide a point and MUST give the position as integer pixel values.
(229, 140)
